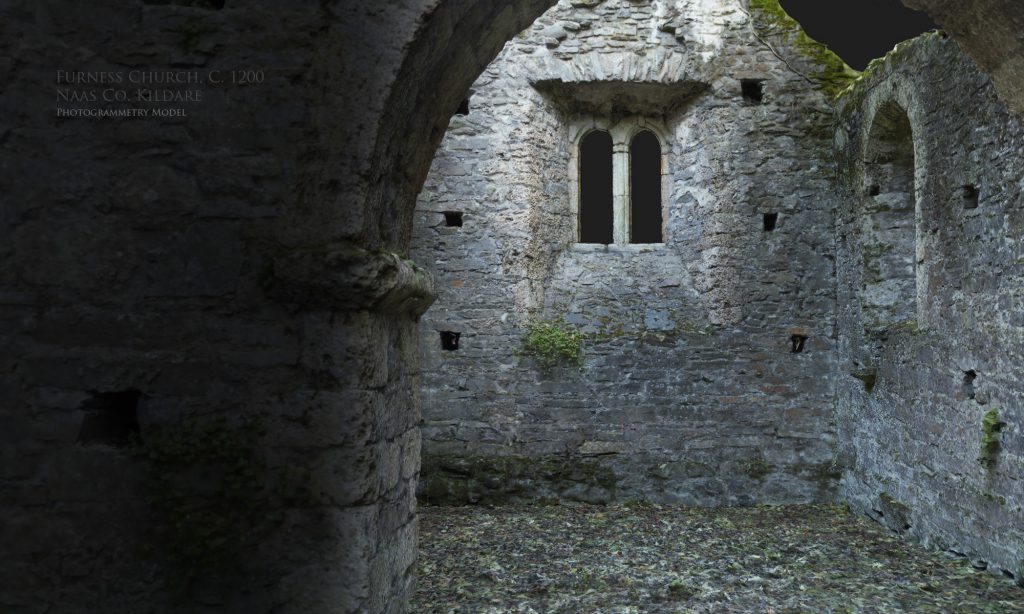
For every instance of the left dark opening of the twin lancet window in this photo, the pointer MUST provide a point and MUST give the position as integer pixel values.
(595, 189)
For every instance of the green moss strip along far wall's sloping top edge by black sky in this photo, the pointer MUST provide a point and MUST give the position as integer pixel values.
(834, 75)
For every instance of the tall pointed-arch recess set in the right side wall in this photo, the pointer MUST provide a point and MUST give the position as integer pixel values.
(889, 242)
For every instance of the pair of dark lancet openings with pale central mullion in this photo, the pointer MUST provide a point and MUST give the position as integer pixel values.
(620, 190)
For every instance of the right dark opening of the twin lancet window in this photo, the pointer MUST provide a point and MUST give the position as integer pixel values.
(646, 189)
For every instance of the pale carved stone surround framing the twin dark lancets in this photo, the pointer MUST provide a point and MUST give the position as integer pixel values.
(622, 134)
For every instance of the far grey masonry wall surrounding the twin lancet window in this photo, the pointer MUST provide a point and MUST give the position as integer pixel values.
(690, 391)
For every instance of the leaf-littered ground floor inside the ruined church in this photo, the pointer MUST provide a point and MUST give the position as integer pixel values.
(642, 558)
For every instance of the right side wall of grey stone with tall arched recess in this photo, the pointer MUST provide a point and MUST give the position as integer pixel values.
(923, 457)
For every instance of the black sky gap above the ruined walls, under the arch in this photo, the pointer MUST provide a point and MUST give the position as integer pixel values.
(859, 31)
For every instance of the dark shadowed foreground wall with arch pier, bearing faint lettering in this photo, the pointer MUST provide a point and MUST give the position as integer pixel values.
(209, 383)
